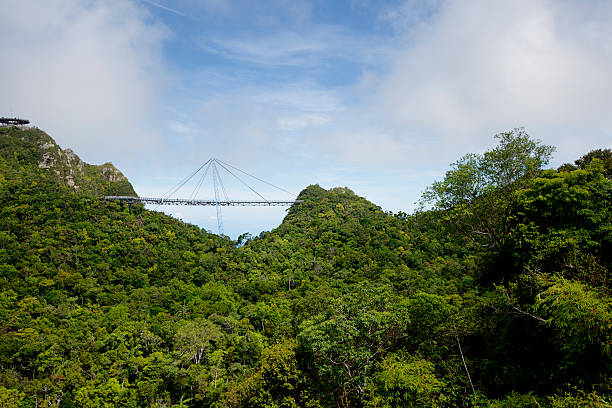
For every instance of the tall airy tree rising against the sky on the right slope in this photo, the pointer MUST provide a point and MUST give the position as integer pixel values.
(477, 191)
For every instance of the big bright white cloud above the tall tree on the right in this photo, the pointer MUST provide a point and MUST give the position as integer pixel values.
(480, 67)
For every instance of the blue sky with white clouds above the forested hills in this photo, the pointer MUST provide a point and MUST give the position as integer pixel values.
(379, 96)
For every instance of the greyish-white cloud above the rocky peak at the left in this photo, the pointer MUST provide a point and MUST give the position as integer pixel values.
(88, 72)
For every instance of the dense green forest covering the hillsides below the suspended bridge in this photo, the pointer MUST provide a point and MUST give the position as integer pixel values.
(496, 296)
